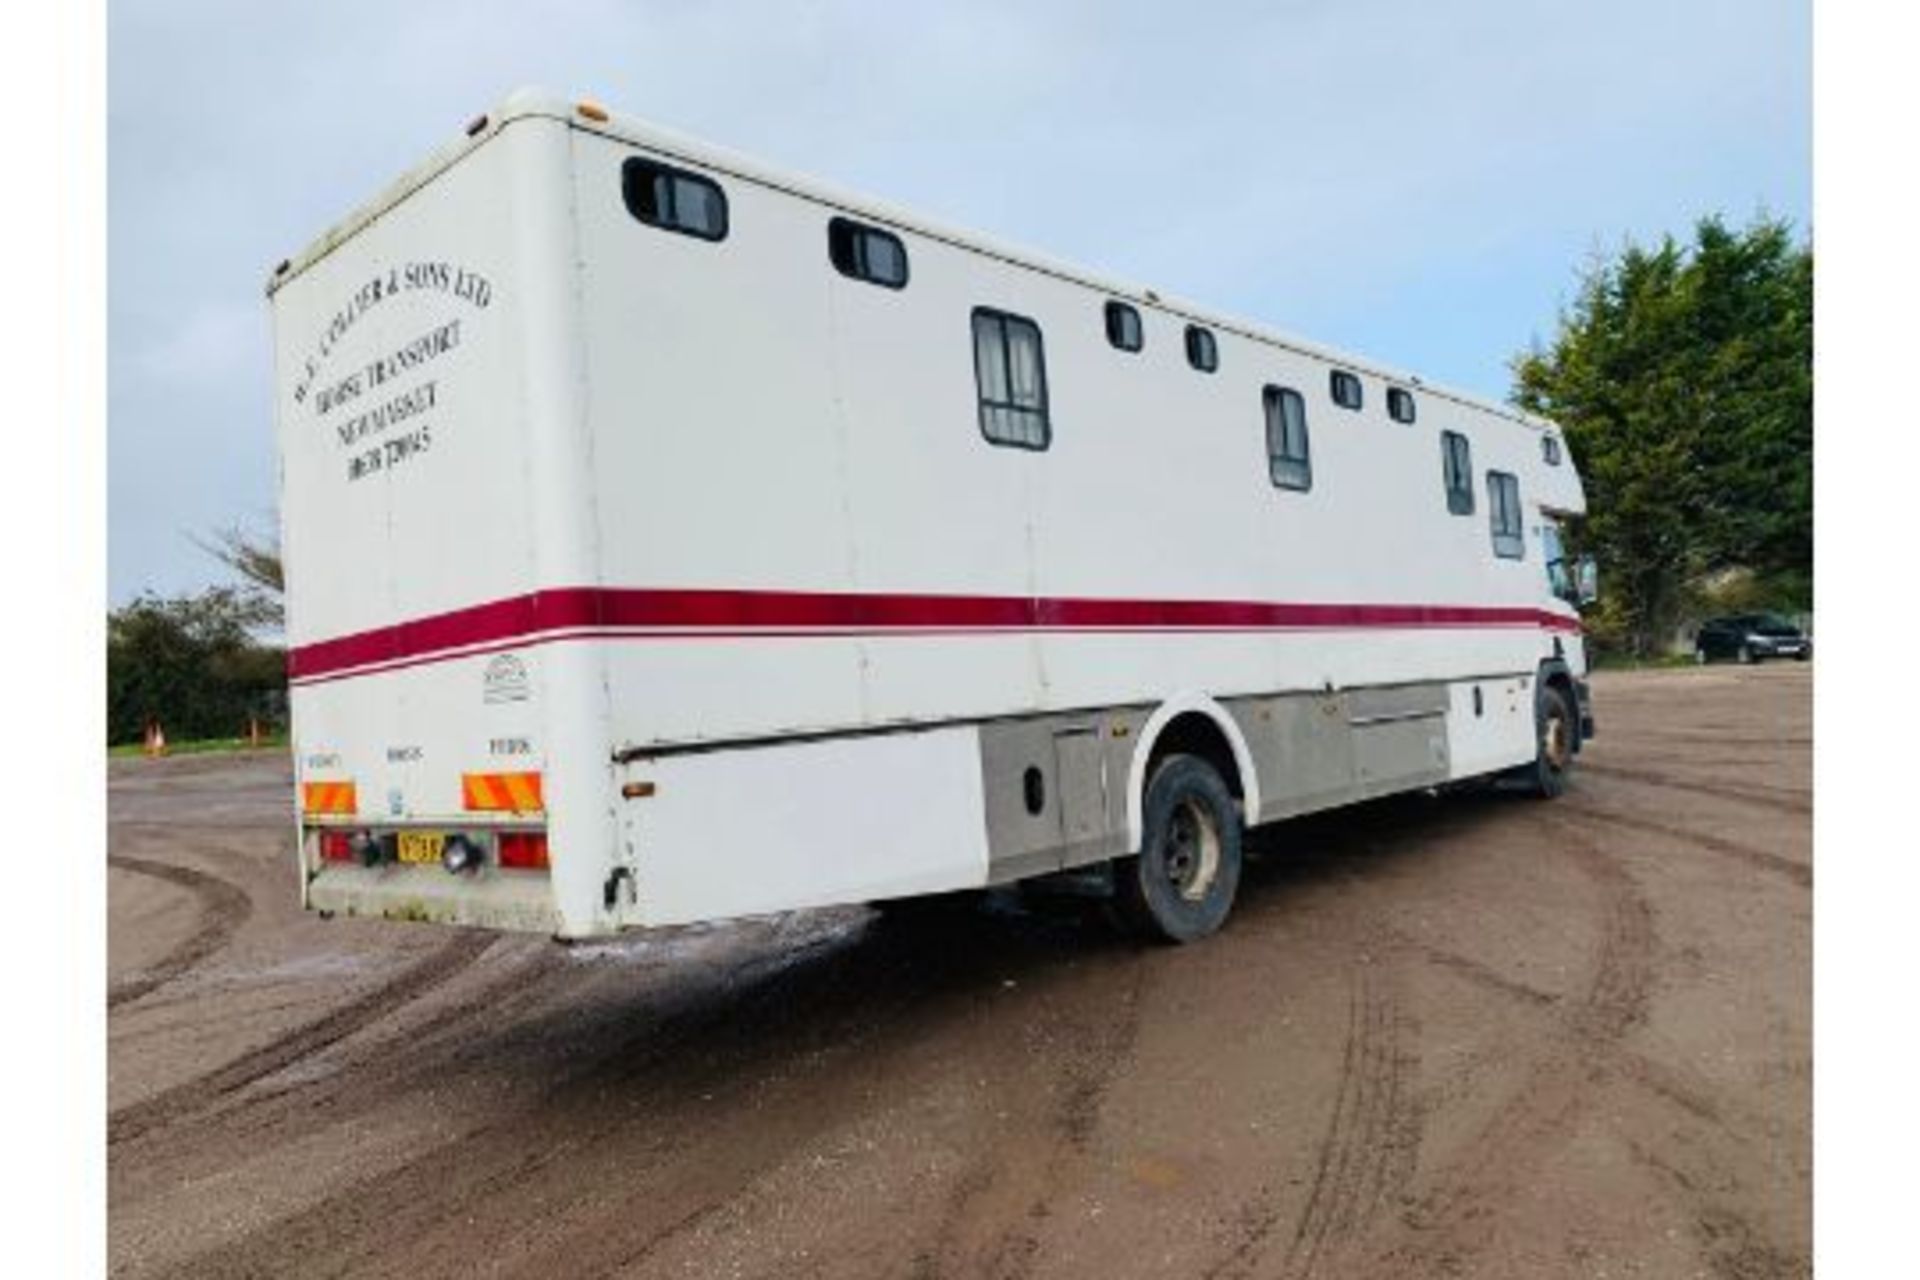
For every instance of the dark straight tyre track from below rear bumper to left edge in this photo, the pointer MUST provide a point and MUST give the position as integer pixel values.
(203, 1091)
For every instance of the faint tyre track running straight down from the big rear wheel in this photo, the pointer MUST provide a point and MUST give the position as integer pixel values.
(1007, 1197)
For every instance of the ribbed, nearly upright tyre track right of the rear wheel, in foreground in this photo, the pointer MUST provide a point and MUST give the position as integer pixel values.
(1372, 1143)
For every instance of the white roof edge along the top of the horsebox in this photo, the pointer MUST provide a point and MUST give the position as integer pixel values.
(592, 118)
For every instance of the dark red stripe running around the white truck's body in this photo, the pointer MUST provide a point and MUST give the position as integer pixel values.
(585, 613)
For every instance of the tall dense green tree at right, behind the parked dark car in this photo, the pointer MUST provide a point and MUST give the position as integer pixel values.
(1683, 377)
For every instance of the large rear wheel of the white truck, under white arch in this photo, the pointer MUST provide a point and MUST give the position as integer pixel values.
(1182, 884)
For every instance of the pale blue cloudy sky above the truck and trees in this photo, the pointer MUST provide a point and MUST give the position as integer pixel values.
(1420, 183)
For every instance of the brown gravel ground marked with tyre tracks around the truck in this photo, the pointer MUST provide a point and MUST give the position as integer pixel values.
(1472, 1035)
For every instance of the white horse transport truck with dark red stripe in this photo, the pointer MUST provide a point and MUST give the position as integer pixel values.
(673, 538)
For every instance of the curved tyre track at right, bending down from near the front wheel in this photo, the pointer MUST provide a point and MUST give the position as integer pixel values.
(1460, 1214)
